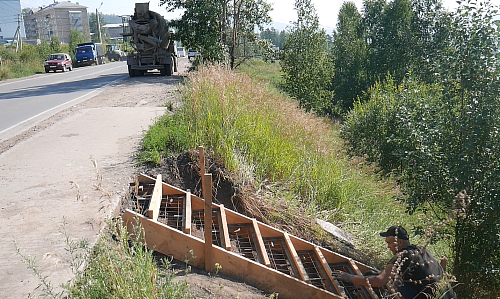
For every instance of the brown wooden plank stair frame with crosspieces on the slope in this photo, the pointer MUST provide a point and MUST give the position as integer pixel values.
(179, 244)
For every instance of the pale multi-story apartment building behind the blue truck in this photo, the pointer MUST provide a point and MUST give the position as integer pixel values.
(56, 19)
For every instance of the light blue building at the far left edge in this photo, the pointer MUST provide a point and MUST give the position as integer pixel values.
(10, 17)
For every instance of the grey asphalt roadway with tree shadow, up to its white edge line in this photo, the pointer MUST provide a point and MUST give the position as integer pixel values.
(24, 102)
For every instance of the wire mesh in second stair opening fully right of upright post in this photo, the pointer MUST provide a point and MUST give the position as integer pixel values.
(279, 256)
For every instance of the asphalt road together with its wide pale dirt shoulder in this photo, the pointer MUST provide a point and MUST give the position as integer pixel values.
(71, 166)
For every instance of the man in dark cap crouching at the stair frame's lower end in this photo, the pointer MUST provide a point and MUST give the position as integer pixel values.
(414, 271)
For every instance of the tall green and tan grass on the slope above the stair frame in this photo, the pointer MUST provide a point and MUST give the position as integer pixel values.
(255, 128)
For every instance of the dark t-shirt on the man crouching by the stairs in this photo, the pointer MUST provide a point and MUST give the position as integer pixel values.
(418, 273)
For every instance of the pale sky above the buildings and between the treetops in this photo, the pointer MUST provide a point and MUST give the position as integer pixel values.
(283, 10)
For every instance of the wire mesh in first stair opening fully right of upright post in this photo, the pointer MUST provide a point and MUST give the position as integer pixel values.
(242, 238)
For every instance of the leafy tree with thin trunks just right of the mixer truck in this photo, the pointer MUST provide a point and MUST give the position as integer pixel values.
(219, 28)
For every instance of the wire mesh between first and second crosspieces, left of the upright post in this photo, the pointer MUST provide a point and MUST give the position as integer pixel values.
(172, 211)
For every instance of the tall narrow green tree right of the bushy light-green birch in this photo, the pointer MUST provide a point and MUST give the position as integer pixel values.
(350, 55)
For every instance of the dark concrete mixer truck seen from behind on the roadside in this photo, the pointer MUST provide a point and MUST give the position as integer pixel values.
(150, 39)
